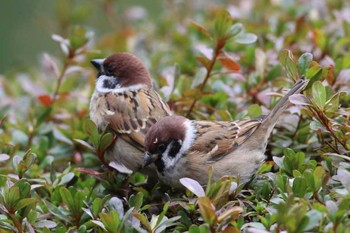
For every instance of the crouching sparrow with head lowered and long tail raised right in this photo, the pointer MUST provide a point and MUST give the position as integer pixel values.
(180, 147)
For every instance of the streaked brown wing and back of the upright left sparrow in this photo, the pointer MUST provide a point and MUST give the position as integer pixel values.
(132, 113)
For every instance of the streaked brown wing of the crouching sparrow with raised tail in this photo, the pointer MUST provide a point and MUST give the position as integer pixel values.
(219, 138)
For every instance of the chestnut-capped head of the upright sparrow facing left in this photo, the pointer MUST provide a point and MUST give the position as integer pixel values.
(121, 70)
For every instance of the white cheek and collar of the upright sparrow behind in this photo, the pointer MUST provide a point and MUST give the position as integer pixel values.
(117, 89)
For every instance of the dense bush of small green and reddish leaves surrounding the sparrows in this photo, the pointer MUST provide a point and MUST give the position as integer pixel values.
(209, 61)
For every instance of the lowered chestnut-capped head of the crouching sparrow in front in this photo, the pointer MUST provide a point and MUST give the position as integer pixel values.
(167, 141)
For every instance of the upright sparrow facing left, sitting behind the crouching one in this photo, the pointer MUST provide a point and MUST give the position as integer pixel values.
(125, 103)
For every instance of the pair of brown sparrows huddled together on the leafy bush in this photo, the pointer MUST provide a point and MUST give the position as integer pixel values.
(148, 133)
